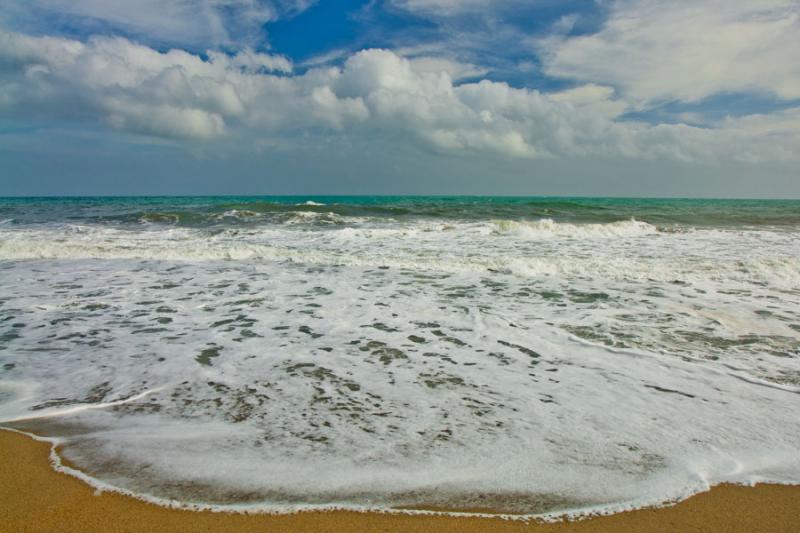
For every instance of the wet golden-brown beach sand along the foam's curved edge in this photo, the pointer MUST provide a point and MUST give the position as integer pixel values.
(34, 497)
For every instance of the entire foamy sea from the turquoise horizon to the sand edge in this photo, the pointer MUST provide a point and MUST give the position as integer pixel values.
(531, 356)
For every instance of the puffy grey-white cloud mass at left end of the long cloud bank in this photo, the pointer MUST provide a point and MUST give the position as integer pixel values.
(130, 86)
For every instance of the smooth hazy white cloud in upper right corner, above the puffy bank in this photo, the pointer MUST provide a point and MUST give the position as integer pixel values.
(684, 50)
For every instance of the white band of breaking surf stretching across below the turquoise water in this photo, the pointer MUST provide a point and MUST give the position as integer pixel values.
(640, 253)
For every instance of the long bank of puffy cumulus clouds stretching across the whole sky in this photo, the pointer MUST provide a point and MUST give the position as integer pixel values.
(374, 94)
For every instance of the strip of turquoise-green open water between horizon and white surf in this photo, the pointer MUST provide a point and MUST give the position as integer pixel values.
(199, 211)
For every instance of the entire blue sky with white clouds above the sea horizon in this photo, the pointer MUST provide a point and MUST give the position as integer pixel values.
(507, 97)
